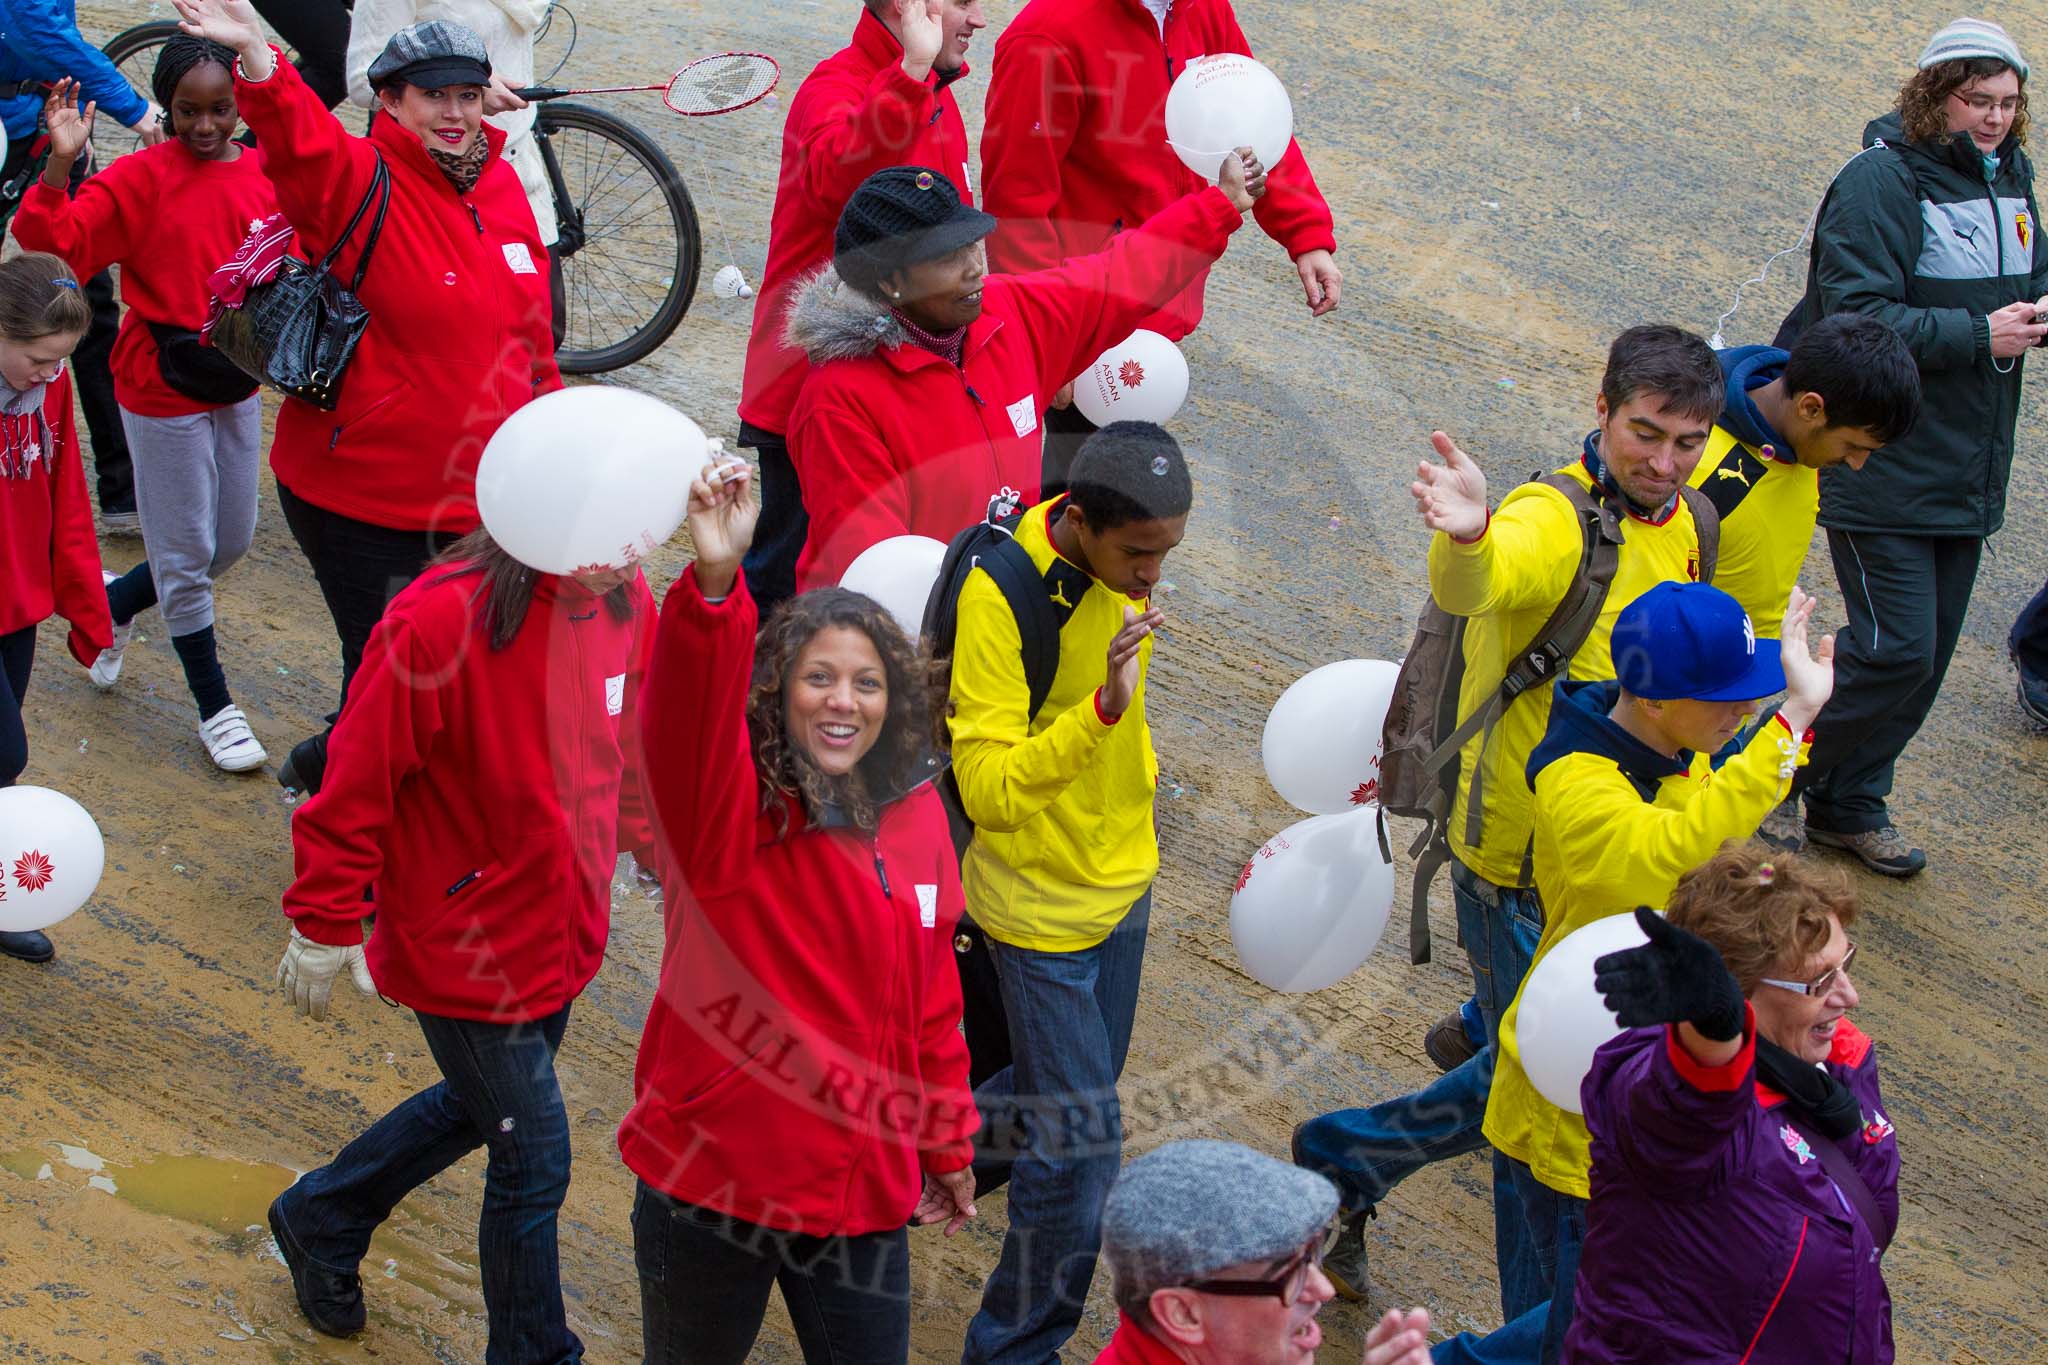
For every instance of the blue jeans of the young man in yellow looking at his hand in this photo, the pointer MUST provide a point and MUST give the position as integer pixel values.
(1070, 1028)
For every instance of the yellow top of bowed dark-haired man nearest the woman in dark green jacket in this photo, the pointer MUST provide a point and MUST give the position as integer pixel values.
(1768, 509)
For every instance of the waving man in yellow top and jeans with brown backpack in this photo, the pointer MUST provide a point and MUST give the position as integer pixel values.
(1506, 572)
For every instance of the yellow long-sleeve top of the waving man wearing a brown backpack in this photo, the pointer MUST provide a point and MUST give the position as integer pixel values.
(1506, 584)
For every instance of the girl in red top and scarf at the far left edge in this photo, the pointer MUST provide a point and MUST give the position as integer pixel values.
(50, 560)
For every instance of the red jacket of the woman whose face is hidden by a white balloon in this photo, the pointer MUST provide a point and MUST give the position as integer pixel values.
(484, 793)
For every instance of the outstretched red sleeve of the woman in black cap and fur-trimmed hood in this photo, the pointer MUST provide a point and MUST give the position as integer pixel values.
(1093, 302)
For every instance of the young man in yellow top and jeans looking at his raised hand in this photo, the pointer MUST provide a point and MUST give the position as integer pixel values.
(1064, 854)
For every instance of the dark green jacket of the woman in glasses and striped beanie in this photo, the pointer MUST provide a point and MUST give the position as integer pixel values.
(1918, 236)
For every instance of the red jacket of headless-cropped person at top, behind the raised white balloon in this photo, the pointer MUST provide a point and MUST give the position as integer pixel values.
(1076, 150)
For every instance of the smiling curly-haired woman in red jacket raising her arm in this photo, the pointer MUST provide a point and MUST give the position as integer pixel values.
(802, 1084)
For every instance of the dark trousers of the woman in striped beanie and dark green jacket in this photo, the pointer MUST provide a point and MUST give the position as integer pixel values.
(1908, 599)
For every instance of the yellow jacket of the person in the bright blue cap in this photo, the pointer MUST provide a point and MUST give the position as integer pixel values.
(1603, 848)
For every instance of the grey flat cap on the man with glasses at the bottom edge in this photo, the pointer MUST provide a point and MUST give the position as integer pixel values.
(1193, 1208)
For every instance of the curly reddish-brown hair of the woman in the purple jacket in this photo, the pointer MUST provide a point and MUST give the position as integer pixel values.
(1766, 912)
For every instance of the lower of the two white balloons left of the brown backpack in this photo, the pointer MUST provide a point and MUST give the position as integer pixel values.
(1314, 901)
